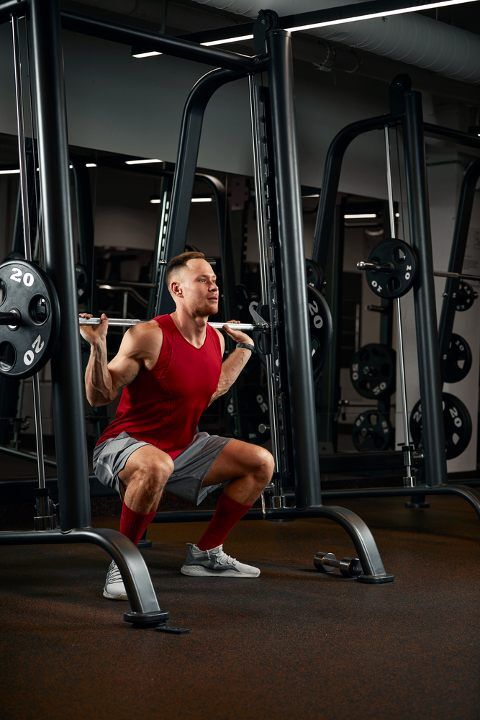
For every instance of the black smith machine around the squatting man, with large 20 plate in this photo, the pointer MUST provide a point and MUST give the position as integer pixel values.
(284, 298)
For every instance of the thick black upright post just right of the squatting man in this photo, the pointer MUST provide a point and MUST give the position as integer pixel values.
(292, 254)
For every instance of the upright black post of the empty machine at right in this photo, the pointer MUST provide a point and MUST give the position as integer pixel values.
(424, 293)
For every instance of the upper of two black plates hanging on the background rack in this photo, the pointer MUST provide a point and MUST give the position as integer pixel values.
(373, 371)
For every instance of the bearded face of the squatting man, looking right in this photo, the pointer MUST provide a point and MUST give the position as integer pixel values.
(194, 286)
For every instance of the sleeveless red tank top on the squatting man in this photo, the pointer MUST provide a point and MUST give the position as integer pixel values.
(162, 406)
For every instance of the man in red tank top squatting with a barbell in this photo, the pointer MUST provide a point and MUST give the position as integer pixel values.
(169, 370)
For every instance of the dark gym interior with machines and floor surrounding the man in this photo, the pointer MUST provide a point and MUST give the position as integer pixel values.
(325, 157)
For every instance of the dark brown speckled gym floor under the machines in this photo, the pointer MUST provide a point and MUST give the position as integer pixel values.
(292, 644)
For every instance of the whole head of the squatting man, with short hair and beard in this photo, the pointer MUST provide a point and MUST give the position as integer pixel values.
(192, 284)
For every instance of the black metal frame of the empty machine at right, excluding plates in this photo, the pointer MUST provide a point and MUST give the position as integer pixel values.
(407, 114)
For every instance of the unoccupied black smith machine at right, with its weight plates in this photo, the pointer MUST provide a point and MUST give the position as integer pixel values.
(441, 424)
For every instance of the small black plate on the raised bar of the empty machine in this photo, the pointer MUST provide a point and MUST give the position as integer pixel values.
(397, 274)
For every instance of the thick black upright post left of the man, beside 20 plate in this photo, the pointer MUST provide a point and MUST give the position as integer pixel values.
(68, 403)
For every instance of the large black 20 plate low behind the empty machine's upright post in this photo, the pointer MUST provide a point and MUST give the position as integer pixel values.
(457, 423)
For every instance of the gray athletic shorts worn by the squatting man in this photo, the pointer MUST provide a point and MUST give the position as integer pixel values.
(189, 468)
